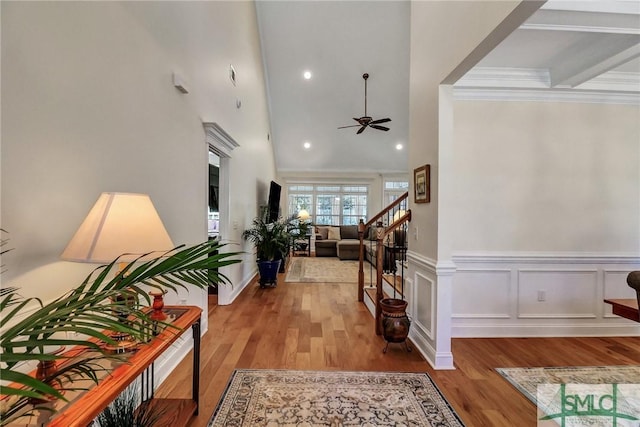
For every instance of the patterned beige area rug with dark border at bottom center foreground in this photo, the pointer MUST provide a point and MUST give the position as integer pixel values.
(331, 398)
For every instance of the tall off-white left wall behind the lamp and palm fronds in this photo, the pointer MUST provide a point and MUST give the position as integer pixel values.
(88, 106)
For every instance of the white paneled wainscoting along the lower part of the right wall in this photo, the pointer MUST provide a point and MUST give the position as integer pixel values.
(497, 295)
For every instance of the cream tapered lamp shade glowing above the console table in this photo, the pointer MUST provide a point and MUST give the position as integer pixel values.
(119, 224)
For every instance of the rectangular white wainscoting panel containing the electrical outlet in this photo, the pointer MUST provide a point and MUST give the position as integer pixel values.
(564, 293)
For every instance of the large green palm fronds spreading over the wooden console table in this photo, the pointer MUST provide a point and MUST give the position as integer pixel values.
(84, 312)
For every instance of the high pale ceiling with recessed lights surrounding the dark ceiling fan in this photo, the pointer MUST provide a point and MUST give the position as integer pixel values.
(338, 42)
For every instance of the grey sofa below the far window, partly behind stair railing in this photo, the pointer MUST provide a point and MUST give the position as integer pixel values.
(343, 242)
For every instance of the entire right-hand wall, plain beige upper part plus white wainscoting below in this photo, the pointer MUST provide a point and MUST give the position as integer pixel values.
(547, 199)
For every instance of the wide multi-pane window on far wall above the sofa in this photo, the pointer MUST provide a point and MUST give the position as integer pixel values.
(330, 204)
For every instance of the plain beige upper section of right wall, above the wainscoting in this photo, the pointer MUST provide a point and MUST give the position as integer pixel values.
(543, 176)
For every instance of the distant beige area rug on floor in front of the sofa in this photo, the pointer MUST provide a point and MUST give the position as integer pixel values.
(322, 270)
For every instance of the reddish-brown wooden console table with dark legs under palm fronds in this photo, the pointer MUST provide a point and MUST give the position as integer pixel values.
(85, 405)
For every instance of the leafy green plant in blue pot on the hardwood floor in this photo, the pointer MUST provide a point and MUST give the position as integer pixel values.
(272, 241)
